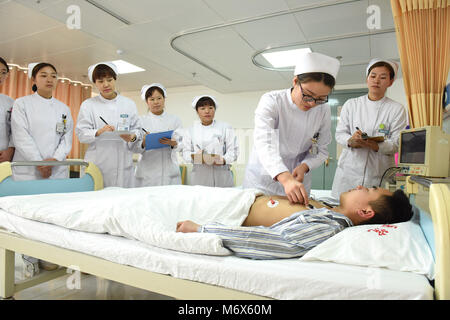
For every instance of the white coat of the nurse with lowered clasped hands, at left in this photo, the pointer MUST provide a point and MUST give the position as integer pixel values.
(34, 121)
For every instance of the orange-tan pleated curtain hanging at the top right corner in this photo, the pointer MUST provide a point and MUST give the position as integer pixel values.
(423, 37)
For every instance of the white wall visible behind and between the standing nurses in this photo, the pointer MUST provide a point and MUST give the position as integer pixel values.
(235, 108)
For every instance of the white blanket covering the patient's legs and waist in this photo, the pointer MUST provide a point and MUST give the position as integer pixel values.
(146, 214)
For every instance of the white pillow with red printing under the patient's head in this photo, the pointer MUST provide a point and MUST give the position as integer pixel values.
(400, 246)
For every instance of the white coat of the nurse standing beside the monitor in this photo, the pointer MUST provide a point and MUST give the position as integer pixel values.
(362, 166)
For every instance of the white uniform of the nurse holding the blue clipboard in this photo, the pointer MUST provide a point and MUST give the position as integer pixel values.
(159, 166)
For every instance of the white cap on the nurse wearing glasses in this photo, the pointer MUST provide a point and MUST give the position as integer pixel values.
(316, 62)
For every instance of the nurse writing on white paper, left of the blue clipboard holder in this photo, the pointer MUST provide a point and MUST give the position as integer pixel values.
(103, 114)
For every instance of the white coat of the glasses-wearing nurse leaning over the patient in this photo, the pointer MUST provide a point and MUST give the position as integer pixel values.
(282, 139)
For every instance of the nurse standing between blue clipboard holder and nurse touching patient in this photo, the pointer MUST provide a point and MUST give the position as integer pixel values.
(210, 145)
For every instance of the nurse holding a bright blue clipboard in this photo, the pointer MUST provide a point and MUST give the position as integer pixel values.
(158, 167)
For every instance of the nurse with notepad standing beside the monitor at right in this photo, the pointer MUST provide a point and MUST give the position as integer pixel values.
(363, 162)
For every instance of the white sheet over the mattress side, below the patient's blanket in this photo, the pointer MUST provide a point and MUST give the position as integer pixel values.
(279, 279)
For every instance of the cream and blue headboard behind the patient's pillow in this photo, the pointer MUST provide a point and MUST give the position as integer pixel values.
(433, 202)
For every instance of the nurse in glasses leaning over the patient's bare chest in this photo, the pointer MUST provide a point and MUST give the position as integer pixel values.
(292, 131)
